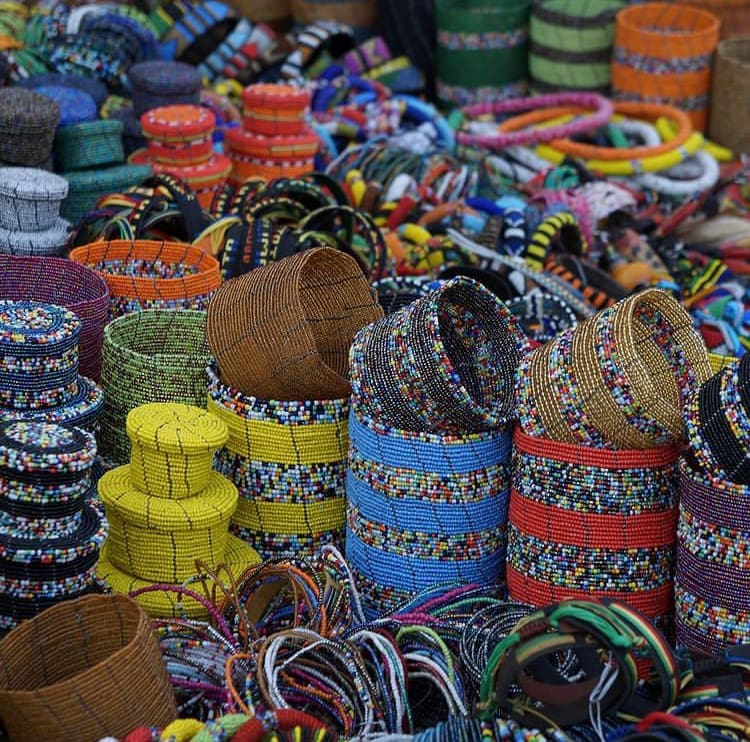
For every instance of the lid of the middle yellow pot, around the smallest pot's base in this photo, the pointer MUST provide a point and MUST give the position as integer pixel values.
(216, 503)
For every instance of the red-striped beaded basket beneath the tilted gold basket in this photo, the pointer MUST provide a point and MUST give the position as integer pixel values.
(587, 522)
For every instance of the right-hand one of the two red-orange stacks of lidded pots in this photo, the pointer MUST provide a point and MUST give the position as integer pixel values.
(275, 140)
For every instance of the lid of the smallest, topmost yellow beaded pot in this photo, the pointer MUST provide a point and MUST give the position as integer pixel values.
(171, 427)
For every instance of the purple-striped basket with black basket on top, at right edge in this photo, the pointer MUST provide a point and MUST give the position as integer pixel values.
(712, 592)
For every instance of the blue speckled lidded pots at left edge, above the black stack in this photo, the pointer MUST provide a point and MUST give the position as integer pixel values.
(39, 377)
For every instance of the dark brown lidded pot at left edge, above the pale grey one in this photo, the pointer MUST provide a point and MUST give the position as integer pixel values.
(27, 127)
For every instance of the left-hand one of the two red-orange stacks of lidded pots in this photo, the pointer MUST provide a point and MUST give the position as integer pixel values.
(180, 142)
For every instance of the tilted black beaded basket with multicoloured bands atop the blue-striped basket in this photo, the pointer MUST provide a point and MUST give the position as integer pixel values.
(446, 362)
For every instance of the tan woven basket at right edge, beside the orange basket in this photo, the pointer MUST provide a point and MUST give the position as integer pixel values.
(730, 95)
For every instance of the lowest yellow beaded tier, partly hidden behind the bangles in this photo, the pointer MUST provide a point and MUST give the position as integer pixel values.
(168, 603)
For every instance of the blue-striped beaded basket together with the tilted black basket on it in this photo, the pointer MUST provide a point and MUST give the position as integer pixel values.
(427, 483)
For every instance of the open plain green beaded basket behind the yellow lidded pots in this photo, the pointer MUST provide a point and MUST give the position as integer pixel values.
(151, 356)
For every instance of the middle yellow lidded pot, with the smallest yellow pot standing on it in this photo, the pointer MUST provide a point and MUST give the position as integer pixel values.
(159, 539)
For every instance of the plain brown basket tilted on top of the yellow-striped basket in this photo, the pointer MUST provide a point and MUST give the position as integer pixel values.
(283, 331)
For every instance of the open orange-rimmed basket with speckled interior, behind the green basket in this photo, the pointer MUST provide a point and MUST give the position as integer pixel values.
(146, 274)
